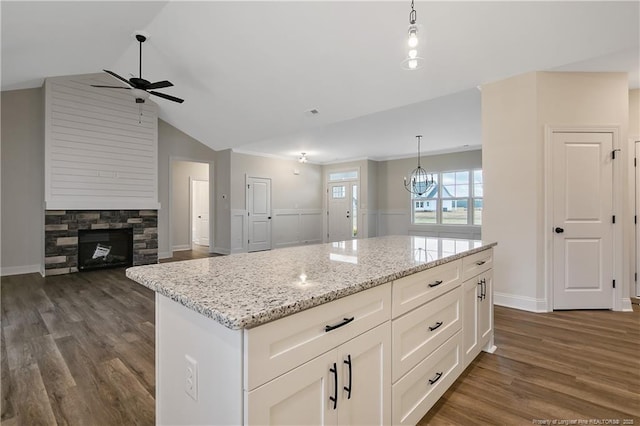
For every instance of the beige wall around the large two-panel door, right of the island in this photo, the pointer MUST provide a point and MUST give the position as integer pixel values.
(514, 114)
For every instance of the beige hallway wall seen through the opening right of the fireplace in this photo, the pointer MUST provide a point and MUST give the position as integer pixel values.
(182, 172)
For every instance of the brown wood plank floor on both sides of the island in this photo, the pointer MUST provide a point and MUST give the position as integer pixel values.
(79, 350)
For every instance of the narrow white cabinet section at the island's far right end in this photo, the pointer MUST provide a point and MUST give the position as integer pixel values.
(477, 317)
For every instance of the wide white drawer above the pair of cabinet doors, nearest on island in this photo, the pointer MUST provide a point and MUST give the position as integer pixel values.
(276, 347)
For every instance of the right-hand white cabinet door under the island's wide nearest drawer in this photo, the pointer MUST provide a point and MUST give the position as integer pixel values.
(365, 380)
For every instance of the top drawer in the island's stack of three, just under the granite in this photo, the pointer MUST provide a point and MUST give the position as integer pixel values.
(415, 290)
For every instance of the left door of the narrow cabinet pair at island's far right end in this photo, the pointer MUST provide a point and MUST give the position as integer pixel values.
(470, 306)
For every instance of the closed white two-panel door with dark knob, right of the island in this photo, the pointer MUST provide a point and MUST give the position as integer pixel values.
(582, 182)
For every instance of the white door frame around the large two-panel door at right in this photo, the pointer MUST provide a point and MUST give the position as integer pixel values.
(622, 281)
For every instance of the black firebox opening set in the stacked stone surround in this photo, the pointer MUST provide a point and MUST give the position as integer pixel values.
(105, 248)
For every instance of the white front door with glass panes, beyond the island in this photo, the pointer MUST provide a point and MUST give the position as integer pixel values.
(342, 204)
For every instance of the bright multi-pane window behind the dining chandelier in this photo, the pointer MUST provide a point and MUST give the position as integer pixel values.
(455, 198)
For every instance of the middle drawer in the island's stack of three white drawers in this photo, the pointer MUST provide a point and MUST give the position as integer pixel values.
(420, 332)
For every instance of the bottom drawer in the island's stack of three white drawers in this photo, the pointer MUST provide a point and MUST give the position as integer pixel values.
(420, 388)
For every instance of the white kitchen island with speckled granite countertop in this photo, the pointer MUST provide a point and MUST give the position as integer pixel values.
(332, 333)
